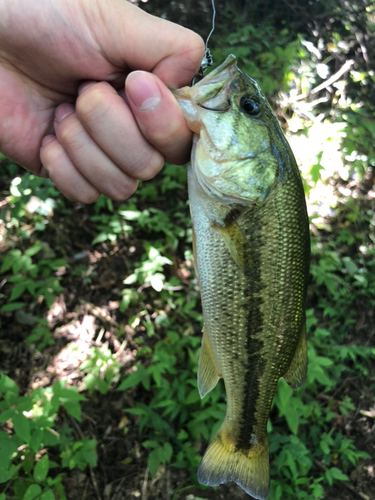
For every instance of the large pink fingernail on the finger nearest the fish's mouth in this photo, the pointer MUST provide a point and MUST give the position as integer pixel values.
(143, 90)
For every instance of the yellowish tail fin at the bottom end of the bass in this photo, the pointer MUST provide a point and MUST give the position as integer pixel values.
(222, 462)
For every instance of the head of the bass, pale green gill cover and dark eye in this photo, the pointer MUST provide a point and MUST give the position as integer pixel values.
(234, 155)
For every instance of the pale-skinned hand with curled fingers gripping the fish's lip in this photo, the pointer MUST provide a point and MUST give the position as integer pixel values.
(84, 93)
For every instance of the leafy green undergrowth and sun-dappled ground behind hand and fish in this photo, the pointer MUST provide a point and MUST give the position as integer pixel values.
(100, 318)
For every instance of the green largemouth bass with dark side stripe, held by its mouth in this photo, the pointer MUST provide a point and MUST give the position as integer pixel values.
(252, 248)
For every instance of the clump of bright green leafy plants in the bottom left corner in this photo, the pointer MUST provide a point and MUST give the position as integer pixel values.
(30, 437)
